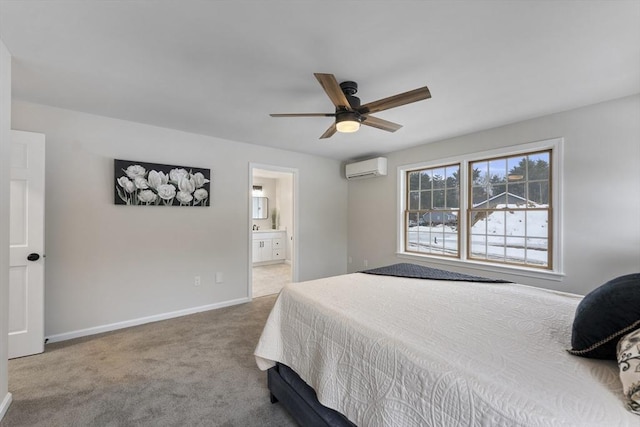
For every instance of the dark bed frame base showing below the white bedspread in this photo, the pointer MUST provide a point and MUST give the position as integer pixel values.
(300, 400)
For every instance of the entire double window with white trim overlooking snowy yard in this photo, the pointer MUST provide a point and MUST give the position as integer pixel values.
(493, 208)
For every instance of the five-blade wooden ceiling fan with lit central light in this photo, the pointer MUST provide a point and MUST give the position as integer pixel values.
(349, 114)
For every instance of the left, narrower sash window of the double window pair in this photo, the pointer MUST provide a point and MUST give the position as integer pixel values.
(433, 200)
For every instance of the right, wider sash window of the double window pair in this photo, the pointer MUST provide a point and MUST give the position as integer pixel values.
(509, 210)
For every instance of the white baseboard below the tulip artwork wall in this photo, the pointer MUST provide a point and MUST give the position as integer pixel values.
(141, 321)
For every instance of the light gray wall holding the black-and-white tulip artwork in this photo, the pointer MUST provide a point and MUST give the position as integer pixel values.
(108, 263)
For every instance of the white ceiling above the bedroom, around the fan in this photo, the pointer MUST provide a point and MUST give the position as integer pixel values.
(220, 67)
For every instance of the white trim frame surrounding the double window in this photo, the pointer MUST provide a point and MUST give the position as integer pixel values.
(555, 144)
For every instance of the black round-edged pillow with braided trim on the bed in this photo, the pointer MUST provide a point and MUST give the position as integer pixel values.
(604, 316)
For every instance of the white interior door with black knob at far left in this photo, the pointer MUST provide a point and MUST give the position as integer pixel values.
(26, 268)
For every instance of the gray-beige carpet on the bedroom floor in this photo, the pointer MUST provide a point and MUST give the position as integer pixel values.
(195, 370)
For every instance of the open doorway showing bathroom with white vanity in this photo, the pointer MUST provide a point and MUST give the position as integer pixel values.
(272, 215)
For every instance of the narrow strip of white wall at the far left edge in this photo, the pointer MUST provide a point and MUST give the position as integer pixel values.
(5, 130)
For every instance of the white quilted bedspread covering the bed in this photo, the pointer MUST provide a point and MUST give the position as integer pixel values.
(388, 351)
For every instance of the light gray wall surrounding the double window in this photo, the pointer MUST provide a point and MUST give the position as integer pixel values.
(601, 192)
